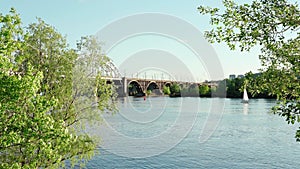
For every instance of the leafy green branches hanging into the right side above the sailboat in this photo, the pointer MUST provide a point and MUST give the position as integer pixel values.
(274, 25)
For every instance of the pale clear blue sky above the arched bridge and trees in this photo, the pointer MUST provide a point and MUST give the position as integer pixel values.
(77, 18)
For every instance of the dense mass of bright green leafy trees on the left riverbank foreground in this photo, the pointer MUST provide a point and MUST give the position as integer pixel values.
(43, 107)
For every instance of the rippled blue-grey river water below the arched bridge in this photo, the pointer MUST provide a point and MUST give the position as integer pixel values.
(247, 136)
